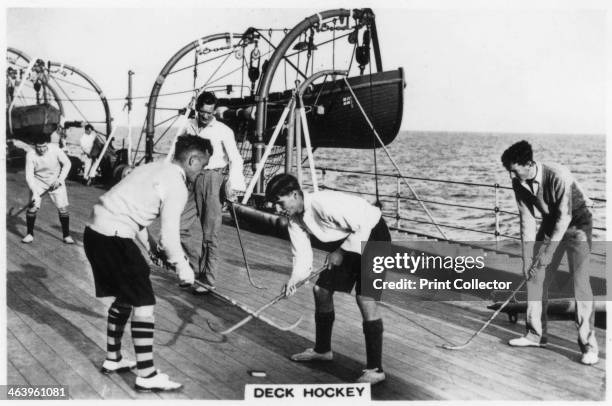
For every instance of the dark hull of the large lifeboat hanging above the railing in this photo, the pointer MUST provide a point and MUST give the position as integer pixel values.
(335, 119)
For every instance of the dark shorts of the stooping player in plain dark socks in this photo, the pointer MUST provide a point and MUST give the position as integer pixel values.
(348, 275)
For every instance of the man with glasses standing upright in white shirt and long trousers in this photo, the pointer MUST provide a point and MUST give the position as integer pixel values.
(206, 203)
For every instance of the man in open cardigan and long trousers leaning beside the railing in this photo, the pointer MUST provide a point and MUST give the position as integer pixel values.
(567, 225)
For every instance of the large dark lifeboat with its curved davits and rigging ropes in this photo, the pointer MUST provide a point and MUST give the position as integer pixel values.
(333, 119)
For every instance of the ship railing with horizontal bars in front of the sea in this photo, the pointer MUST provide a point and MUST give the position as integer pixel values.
(397, 198)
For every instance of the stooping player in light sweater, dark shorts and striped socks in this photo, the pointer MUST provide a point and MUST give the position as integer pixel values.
(122, 214)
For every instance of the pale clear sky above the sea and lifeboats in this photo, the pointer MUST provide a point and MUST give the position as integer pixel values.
(526, 67)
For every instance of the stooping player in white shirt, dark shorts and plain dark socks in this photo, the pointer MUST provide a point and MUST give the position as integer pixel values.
(333, 216)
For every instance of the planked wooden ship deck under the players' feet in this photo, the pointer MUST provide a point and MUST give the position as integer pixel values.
(57, 329)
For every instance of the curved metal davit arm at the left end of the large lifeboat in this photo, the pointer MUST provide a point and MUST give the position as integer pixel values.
(166, 70)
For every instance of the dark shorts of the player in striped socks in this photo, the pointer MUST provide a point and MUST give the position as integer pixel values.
(119, 269)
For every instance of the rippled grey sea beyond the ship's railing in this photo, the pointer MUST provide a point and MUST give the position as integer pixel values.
(454, 174)
